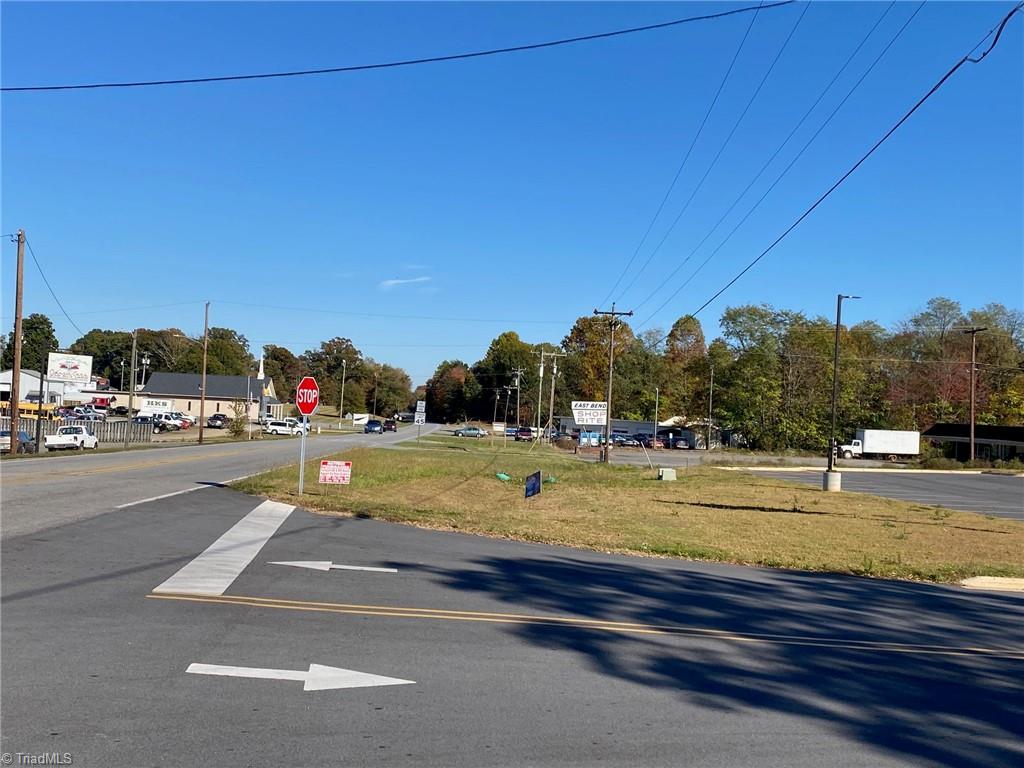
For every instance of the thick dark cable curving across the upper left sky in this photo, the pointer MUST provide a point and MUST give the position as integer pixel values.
(403, 63)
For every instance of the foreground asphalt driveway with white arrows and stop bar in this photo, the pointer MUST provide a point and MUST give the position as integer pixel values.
(521, 655)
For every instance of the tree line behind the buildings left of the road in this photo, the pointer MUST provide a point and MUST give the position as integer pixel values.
(367, 381)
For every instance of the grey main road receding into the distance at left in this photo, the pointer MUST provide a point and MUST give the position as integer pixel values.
(38, 493)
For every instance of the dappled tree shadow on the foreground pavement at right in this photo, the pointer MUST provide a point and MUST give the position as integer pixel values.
(931, 709)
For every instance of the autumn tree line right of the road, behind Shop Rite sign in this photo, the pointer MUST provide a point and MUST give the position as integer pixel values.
(773, 373)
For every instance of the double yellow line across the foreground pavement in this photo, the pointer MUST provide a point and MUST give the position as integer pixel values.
(591, 624)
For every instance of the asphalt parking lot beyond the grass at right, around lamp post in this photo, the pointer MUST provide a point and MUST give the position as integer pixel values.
(1002, 496)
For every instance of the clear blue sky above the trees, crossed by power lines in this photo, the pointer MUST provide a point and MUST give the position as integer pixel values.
(501, 193)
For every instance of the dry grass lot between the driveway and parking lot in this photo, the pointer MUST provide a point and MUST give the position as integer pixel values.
(708, 515)
